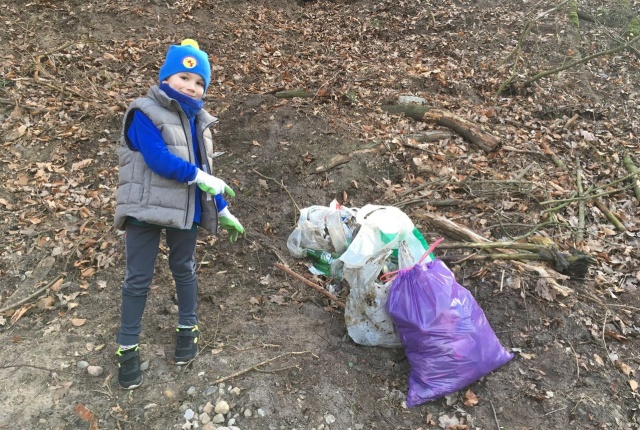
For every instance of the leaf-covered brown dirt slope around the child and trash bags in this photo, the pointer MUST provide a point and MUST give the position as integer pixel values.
(69, 69)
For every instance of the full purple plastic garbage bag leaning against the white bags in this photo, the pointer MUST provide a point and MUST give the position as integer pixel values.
(447, 338)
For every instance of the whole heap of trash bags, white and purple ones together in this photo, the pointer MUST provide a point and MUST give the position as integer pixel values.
(400, 295)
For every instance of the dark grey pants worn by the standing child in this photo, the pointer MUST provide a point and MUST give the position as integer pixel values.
(141, 249)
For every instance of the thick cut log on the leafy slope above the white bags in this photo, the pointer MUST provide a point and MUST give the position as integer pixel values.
(469, 130)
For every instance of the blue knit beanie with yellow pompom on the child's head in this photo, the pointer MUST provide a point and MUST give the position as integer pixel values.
(186, 57)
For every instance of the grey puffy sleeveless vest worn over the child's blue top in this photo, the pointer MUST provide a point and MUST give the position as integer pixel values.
(149, 197)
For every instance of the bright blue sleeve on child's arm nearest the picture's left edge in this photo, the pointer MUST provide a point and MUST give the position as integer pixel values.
(146, 138)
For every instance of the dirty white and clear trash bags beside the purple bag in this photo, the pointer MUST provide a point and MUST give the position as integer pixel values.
(358, 246)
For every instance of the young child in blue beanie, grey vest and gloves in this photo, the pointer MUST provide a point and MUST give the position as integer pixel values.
(165, 183)
